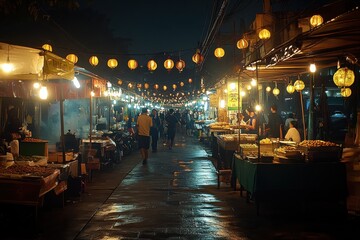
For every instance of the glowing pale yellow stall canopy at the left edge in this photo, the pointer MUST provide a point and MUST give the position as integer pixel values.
(33, 64)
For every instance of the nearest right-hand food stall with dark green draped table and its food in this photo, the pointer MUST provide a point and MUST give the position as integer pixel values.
(299, 173)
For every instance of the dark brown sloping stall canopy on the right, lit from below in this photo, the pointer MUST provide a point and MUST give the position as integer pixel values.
(324, 45)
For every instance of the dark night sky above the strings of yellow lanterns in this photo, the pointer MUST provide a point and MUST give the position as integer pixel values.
(141, 29)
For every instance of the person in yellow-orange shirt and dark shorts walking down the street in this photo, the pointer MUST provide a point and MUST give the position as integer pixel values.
(143, 124)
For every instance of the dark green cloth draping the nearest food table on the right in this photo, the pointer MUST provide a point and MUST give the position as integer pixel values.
(304, 182)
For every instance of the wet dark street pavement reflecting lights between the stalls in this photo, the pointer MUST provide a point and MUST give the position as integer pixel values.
(173, 196)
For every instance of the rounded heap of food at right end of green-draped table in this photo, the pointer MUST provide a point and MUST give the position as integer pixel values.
(321, 151)
